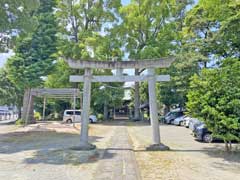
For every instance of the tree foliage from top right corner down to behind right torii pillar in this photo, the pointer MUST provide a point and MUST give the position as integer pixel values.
(209, 34)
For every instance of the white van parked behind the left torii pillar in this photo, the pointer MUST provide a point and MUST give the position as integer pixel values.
(72, 116)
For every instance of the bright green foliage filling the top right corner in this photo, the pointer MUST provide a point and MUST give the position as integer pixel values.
(211, 28)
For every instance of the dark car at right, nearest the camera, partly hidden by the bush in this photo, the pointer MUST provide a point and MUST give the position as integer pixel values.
(203, 134)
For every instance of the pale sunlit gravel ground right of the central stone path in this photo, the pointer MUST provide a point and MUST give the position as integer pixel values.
(187, 160)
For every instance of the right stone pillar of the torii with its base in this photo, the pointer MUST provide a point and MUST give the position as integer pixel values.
(157, 145)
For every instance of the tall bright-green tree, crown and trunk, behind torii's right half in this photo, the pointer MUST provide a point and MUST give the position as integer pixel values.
(147, 30)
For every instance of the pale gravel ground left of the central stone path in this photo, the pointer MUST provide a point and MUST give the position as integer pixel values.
(41, 152)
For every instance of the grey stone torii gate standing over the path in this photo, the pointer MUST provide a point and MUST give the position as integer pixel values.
(150, 65)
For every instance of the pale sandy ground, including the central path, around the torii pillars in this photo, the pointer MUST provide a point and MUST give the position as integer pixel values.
(41, 151)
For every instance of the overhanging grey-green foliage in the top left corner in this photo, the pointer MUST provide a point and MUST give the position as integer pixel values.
(16, 18)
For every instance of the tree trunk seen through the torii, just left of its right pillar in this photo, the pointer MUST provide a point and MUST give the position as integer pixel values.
(136, 99)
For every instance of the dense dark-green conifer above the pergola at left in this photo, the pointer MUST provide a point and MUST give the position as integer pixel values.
(34, 55)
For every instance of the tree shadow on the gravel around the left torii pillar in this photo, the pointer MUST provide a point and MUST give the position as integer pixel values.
(49, 147)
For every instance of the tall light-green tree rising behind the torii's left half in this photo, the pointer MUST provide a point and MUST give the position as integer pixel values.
(85, 34)
